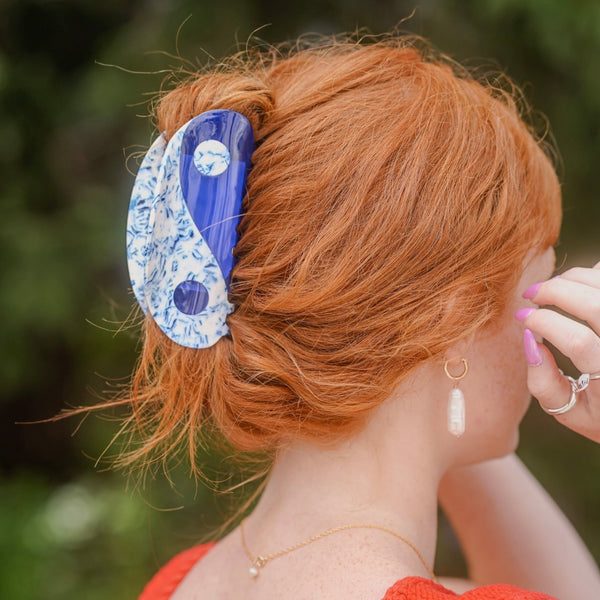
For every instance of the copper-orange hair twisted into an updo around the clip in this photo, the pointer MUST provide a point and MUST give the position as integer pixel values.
(387, 185)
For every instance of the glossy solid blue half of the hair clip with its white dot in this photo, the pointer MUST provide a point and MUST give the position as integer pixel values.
(214, 163)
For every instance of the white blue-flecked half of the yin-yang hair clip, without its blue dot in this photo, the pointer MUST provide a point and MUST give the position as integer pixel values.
(165, 251)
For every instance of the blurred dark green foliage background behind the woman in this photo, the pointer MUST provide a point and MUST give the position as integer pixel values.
(68, 123)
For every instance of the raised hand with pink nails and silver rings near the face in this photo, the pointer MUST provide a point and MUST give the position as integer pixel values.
(576, 292)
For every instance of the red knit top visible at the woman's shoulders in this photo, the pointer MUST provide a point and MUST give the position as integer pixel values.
(163, 584)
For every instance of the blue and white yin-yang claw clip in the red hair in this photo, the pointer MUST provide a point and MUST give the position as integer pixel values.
(182, 225)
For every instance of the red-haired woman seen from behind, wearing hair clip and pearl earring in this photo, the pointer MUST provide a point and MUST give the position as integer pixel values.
(397, 214)
